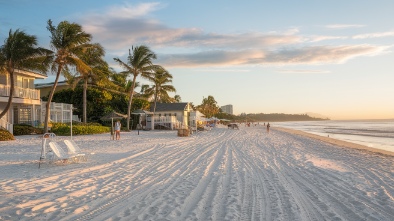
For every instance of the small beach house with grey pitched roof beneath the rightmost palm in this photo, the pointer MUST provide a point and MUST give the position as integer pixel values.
(171, 115)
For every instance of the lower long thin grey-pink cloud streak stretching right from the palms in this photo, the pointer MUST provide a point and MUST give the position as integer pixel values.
(306, 55)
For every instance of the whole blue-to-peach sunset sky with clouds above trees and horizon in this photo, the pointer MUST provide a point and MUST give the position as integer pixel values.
(334, 58)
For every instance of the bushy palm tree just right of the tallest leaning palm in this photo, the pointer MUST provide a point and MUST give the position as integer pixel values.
(97, 74)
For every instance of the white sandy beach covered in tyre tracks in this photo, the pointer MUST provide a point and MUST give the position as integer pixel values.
(220, 174)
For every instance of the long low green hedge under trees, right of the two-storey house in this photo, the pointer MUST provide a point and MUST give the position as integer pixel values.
(62, 129)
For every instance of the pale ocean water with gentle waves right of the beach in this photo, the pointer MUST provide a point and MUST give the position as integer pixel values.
(372, 133)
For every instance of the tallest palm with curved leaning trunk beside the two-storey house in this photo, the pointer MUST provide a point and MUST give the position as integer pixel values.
(68, 41)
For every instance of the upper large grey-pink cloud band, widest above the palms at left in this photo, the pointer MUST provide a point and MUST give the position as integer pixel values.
(122, 26)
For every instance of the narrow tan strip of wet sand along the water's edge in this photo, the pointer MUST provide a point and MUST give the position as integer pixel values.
(334, 141)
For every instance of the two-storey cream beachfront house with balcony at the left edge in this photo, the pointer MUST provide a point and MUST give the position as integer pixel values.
(26, 103)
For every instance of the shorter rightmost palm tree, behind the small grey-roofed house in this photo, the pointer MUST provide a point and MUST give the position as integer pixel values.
(160, 87)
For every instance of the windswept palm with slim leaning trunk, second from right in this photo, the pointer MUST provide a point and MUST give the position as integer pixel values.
(138, 63)
